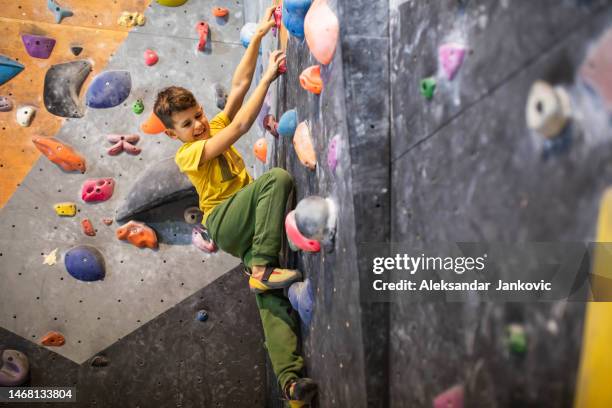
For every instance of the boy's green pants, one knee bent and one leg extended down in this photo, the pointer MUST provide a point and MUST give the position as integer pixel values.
(249, 225)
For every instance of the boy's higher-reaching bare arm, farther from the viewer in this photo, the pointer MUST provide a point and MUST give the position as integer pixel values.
(241, 81)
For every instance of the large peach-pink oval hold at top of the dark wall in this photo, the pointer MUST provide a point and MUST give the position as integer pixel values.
(321, 30)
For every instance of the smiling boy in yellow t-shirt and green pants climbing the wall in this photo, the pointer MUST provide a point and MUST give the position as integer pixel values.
(243, 216)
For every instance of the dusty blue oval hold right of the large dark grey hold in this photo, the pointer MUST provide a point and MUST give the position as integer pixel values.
(109, 89)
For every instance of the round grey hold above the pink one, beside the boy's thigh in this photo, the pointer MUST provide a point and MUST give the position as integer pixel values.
(316, 218)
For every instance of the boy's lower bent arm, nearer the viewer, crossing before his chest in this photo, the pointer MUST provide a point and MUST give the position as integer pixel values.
(246, 115)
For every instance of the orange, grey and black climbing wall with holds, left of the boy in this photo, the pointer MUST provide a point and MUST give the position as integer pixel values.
(102, 77)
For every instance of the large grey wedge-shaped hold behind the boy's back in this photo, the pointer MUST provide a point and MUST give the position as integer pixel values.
(159, 183)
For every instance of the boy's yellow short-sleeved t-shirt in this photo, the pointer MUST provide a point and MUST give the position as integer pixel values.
(217, 179)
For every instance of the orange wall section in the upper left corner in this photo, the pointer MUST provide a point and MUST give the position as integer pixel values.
(93, 26)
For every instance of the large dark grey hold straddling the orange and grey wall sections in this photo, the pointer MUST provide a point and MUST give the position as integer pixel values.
(63, 84)
